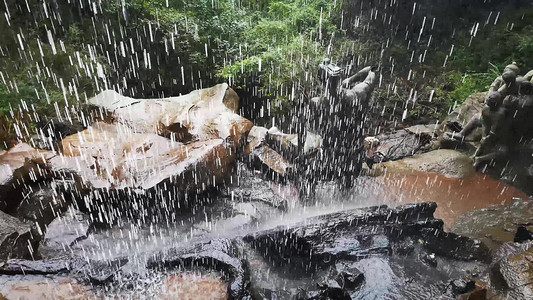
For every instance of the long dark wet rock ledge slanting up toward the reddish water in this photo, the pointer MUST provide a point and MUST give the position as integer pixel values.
(353, 234)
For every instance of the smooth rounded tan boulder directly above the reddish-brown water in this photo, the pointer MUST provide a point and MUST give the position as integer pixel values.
(450, 163)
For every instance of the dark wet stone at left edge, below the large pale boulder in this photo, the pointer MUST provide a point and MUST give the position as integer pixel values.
(16, 238)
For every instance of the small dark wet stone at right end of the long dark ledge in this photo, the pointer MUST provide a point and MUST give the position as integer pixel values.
(454, 246)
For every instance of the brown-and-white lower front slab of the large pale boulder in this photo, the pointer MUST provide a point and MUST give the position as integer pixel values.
(106, 157)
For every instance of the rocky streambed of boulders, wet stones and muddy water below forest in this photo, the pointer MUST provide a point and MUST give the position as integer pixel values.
(182, 198)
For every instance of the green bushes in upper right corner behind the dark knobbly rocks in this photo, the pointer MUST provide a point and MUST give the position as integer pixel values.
(475, 64)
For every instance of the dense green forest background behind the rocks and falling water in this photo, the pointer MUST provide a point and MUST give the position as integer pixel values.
(431, 55)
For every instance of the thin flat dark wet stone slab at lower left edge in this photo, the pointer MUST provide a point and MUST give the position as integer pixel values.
(21, 266)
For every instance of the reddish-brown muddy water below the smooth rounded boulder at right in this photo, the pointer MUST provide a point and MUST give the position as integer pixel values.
(454, 197)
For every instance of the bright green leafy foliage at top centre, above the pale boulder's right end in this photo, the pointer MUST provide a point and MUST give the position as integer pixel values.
(287, 38)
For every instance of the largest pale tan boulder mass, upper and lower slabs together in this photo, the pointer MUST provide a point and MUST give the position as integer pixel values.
(191, 141)
